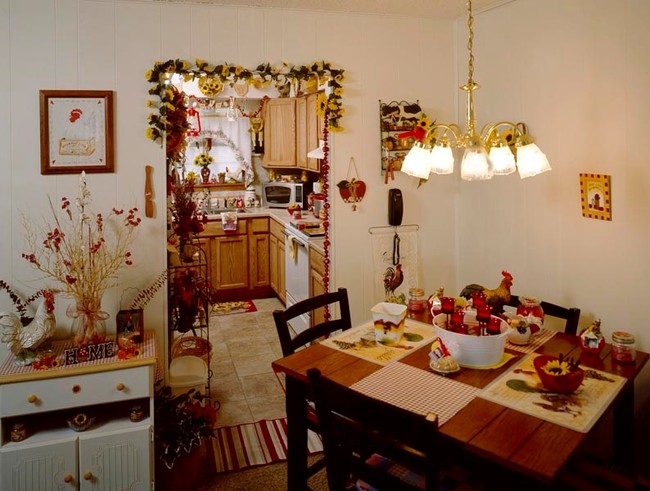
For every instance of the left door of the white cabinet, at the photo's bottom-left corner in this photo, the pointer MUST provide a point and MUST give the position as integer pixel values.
(43, 466)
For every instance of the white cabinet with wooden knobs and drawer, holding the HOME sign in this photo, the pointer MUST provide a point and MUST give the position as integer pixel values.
(113, 454)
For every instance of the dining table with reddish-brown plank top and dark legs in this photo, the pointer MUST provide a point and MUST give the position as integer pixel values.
(523, 442)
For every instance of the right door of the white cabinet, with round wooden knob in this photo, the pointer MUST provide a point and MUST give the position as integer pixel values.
(116, 460)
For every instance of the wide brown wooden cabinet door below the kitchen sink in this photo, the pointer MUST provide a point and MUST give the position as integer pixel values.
(229, 256)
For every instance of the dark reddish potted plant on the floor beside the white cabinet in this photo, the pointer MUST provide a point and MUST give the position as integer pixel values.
(183, 423)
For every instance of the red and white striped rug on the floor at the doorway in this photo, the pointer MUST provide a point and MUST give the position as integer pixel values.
(238, 447)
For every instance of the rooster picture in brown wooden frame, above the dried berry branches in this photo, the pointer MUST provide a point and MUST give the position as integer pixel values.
(76, 131)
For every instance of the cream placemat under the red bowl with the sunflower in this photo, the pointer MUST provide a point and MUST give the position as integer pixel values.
(520, 389)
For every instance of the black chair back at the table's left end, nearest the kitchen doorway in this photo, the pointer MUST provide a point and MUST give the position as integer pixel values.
(290, 343)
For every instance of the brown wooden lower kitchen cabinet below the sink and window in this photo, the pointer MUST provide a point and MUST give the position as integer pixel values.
(239, 266)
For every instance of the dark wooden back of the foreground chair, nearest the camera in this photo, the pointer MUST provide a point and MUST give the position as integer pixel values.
(360, 433)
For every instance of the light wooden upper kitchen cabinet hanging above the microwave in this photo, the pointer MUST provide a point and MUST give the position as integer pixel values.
(292, 128)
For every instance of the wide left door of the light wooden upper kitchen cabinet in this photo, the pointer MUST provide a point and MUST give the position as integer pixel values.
(280, 133)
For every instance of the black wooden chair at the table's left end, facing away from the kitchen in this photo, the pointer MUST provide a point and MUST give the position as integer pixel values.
(291, 342)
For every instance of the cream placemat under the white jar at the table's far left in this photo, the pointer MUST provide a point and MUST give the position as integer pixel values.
(360, 341)
